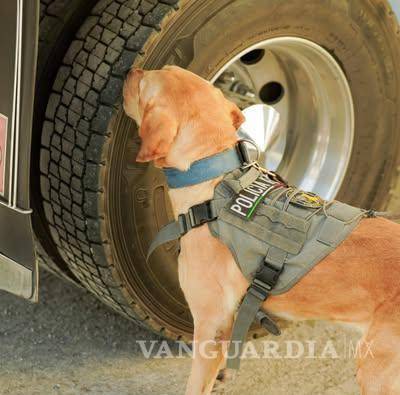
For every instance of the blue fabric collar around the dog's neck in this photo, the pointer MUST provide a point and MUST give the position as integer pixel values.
(205, 169)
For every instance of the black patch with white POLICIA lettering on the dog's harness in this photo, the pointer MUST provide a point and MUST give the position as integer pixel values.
(245, 203)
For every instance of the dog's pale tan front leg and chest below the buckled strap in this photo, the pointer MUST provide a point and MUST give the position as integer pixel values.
(213, 286)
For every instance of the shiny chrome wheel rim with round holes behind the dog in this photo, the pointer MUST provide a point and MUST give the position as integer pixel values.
(312, 144)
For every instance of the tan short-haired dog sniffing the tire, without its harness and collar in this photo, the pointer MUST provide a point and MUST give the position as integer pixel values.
(183, 118)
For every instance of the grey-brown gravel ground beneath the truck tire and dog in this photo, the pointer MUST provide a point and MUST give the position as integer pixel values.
(70, 343)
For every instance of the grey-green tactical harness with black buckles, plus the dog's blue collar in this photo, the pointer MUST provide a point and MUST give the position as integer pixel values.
(287, 231)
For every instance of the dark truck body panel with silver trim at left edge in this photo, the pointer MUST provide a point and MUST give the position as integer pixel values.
(18, 53)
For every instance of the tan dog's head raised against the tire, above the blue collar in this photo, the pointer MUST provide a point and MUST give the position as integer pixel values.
(181, 117)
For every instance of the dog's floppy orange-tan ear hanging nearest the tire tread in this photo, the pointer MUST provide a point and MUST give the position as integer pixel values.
(157, 130)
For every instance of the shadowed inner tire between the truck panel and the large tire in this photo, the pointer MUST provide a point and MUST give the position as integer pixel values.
(59, 21)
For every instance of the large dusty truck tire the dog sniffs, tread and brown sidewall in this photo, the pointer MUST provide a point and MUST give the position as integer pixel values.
(103, 209)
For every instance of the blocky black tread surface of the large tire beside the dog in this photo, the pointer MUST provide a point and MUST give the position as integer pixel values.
(85, 90)
